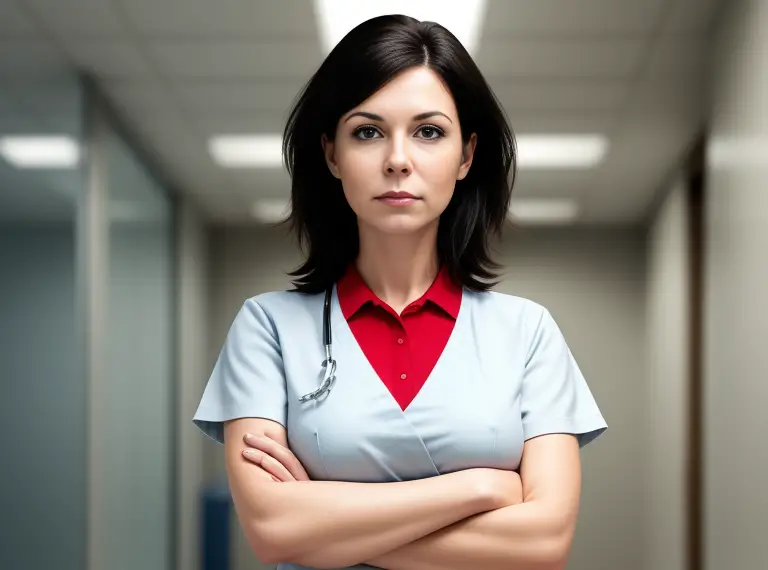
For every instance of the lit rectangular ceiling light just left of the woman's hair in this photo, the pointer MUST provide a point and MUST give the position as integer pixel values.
(247, 151)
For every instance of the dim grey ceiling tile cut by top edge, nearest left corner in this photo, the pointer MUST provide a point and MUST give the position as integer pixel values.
(92, 18)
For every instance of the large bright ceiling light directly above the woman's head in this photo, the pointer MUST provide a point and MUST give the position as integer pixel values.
(464, 19)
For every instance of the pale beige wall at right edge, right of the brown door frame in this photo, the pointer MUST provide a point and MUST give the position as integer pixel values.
(736, 309)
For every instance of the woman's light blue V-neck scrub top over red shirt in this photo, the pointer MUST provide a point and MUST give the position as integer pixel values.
(505, 376)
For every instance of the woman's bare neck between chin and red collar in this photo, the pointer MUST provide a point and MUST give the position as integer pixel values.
(398, 268)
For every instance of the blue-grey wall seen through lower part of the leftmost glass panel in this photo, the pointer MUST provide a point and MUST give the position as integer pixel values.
(42, 408)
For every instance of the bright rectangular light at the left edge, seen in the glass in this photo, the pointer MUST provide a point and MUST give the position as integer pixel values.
(40, 151)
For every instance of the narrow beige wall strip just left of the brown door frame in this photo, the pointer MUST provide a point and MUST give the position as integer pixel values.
(668, 373)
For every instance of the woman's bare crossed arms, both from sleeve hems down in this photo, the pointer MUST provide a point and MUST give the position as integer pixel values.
(478, 518)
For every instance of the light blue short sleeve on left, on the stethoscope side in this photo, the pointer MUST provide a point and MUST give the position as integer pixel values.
(248, 379)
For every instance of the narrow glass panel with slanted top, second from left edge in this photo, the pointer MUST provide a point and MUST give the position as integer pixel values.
(137, 386)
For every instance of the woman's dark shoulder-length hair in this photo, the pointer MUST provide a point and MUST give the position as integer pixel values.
(367, 58)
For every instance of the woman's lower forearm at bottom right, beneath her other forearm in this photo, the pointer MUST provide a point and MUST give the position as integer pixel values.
(528, 536)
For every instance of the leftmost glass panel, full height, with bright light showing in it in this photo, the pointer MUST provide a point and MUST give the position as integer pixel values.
(42, 406)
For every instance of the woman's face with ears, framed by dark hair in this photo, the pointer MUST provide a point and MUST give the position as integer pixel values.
(399, 154)
